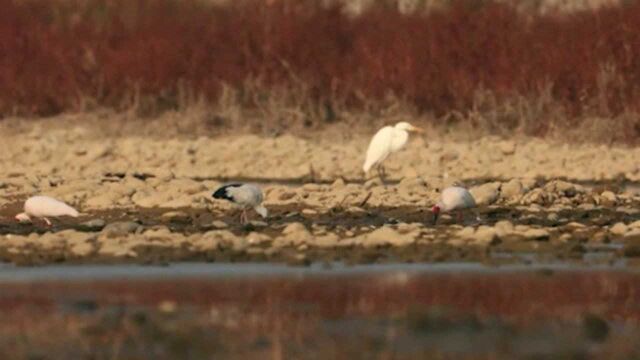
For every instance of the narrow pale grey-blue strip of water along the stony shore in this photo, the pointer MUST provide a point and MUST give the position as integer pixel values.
(252, 270)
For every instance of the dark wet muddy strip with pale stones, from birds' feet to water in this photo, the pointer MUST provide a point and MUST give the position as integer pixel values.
(294, 236)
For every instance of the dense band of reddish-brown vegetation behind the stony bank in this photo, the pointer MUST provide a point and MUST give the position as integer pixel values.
(56, 56)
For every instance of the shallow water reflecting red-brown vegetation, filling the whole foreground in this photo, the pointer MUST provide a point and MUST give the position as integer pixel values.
(271, 311)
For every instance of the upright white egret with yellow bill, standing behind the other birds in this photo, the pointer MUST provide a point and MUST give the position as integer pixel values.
(387, 140)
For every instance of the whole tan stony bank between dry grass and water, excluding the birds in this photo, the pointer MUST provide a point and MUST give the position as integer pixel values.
(148, 198)
